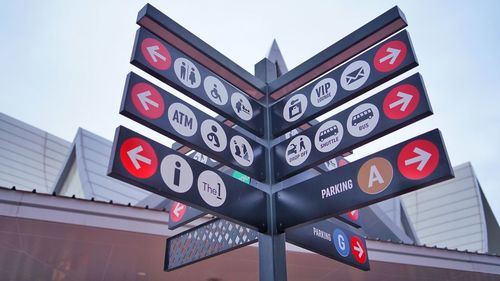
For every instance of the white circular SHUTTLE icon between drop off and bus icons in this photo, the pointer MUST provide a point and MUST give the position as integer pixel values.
(328, 136)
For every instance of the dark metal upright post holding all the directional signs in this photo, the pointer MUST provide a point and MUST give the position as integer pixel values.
(272, 252)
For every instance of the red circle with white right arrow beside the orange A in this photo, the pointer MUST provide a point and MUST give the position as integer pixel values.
(418, 159)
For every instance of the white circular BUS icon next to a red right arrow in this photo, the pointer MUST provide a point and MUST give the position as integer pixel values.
(363, 119)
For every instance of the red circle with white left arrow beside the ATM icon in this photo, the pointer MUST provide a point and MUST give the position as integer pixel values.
(147, 100)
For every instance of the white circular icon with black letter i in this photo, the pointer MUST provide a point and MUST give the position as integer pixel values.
(176, 173)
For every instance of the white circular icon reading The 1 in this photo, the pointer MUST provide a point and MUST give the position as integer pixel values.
(211, 188)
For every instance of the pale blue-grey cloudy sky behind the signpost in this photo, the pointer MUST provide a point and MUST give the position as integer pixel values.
(64, 62)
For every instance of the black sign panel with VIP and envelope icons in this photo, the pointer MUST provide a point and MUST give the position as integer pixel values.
(361, 74)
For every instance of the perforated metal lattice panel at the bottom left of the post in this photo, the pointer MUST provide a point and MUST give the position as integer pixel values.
(207, 240)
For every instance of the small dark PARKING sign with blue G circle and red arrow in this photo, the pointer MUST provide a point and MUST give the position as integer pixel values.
(333, 239)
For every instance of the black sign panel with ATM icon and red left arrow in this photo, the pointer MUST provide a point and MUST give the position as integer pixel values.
(163, 112)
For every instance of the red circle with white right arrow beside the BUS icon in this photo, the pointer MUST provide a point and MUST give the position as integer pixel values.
(401, 101)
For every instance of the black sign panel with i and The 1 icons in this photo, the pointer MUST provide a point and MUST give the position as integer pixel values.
(151, 166)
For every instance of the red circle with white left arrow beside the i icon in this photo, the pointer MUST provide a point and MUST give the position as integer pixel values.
(138, 157)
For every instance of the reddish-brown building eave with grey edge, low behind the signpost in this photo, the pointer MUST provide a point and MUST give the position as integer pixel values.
(43, 235)
